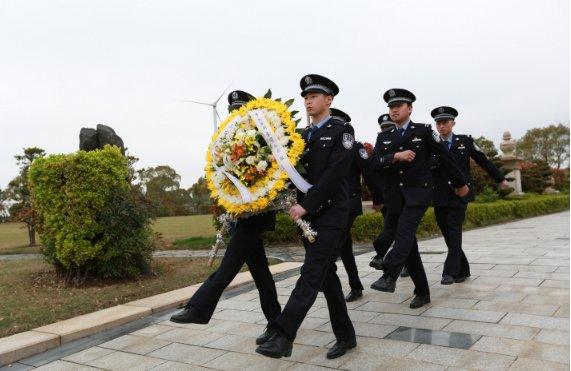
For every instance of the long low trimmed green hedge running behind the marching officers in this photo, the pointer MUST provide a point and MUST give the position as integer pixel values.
(367, 226)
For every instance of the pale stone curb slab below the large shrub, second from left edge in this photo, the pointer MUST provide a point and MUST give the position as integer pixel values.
(91, 323)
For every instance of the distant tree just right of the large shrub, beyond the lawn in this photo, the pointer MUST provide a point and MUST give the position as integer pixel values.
(161, 185)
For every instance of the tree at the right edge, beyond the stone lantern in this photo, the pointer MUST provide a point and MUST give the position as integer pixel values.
(549, 144)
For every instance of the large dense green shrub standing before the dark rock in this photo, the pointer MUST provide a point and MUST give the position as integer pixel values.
(91, 220)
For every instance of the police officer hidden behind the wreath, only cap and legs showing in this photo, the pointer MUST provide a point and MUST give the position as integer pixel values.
(245, 245)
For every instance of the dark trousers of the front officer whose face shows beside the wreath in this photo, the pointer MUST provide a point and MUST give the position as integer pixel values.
(318, 273)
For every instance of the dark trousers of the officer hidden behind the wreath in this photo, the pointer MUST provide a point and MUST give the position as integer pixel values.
(245, 245)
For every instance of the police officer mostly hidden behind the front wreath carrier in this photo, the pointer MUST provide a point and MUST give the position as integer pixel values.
(359, 166)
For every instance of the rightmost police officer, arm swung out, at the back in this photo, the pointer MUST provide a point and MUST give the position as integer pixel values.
(449, 209)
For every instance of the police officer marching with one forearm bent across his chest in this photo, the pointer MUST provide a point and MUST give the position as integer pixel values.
(403, 157)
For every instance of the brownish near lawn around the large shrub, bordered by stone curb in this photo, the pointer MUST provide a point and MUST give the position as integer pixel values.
(32, 295)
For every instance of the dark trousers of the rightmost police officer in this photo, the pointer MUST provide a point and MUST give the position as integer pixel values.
(450, 219)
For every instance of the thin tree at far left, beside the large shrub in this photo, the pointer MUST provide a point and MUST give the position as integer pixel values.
(18, 192)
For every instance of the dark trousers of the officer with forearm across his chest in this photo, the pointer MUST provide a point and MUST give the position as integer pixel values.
(405, 252)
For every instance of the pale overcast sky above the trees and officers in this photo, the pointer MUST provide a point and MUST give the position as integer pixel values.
(65, 65)
